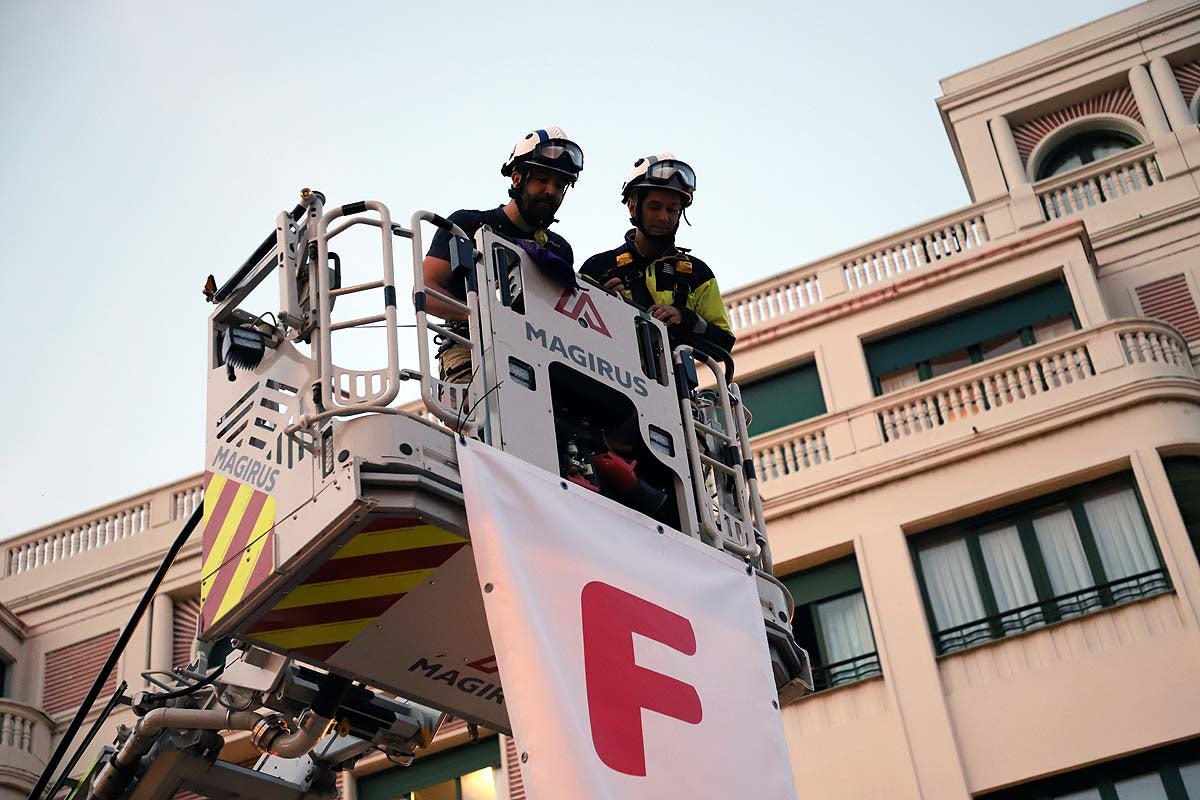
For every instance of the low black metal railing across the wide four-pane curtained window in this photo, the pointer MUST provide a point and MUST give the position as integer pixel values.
(1053, 610)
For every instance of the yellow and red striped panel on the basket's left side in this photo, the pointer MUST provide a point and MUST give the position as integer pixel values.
(238, 527)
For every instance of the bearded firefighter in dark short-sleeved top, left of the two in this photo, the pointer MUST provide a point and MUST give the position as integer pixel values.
(542, 167)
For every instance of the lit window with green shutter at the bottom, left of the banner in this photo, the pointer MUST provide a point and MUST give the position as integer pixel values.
(466, 773)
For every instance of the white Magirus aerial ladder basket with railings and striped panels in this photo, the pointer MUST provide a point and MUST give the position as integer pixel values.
(334, 522)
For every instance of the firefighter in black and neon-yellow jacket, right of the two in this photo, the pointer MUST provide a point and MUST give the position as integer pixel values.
(650, 270)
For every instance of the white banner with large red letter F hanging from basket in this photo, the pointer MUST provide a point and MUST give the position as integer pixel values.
(634, 663)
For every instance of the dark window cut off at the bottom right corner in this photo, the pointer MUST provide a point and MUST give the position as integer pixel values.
(1167, 774)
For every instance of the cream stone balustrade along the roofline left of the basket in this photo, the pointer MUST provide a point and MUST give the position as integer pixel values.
(101, 528)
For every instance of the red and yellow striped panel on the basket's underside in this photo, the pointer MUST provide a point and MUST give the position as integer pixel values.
(363, 580)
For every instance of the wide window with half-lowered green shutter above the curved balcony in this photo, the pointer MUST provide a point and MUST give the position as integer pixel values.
(956, 342)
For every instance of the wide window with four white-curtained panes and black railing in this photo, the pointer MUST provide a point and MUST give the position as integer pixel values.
(1049, 561)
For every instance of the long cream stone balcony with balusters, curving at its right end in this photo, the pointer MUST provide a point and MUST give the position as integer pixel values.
(1033, 382)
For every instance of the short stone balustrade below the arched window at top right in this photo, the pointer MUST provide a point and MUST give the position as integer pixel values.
(1103, 182)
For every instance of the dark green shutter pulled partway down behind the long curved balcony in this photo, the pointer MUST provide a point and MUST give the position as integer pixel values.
(970, 328)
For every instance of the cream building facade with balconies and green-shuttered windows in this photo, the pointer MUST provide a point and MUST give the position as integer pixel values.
(979, 443)
